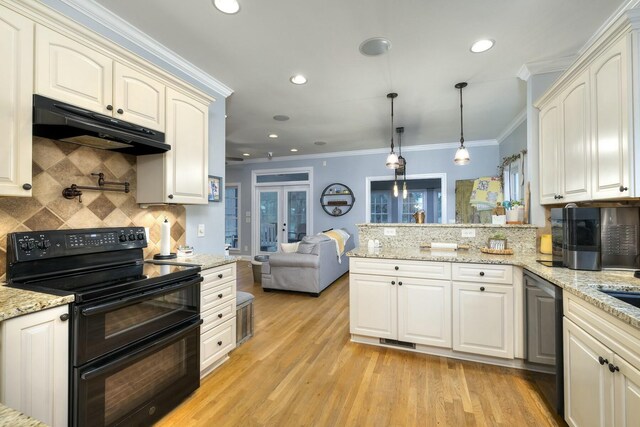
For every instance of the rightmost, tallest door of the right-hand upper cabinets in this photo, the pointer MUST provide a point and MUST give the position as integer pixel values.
(610, 118)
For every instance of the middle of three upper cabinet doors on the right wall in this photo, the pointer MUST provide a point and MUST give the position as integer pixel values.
(576, 144)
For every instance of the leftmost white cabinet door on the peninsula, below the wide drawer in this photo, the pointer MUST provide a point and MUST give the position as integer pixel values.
(373, 306)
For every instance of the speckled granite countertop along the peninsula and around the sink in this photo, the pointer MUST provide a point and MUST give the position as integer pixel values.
(584, 284)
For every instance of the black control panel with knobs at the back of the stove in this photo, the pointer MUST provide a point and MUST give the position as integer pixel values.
(30, 245)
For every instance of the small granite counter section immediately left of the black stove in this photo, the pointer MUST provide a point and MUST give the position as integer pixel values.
(16, 302)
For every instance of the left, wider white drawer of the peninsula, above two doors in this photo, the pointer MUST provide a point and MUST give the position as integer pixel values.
(405, 268)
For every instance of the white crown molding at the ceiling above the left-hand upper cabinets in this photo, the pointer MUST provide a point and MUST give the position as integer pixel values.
(104, 17)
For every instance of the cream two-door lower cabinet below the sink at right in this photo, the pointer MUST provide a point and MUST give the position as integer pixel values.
(601, 387)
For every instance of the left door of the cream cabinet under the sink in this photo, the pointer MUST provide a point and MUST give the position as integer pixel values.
(588, 384)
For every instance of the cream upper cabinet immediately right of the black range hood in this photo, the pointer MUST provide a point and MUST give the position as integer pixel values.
(180, 174)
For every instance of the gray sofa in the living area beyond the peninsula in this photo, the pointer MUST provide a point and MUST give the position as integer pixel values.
(310, 272)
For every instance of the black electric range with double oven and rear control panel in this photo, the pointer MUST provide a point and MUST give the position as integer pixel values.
(134, 335)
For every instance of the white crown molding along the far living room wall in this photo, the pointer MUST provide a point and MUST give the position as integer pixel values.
(410, 148)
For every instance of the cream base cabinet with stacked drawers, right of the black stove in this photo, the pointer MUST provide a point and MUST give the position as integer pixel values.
(218, 312)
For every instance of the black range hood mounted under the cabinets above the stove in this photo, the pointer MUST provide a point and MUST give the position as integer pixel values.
(64, 122)
